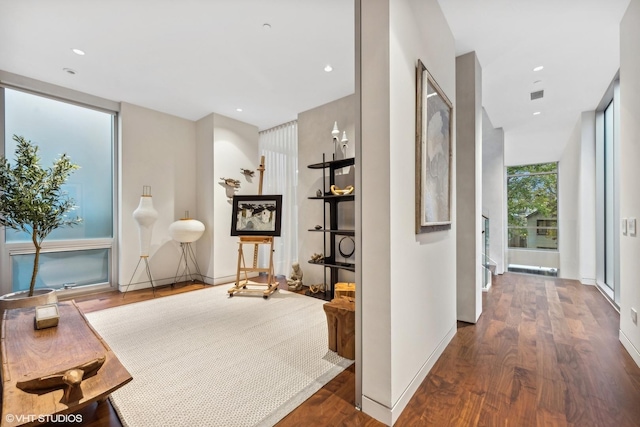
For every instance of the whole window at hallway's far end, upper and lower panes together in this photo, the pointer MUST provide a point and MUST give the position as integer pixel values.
(532, 211)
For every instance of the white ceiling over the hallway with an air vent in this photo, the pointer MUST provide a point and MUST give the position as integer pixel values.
(577, 42)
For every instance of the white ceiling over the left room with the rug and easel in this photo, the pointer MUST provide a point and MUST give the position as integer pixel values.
(188, 58)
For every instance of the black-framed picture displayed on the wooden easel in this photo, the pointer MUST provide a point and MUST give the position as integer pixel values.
(256, 215)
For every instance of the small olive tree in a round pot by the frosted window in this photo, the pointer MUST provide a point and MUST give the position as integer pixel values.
(32, 200)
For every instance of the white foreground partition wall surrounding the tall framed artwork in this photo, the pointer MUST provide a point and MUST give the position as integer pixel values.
(408, 280)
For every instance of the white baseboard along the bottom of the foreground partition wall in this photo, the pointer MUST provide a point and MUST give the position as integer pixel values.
(388, 415)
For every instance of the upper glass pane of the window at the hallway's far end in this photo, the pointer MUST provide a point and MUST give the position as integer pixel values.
(532, 193)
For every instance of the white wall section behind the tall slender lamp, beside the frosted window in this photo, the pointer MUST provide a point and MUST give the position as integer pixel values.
(157, 150)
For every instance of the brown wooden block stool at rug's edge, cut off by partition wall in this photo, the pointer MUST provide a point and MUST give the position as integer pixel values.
(341, 324)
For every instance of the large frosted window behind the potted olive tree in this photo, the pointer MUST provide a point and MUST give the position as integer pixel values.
(72, 256)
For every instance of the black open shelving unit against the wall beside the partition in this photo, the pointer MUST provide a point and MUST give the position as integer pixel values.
(330, 225)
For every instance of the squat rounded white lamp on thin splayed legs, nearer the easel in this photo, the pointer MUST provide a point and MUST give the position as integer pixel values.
(186, 231)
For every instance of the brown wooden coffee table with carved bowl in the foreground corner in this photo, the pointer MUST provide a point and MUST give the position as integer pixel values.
(57, 370)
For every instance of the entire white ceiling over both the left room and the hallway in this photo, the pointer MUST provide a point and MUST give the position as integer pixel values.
(194, 57)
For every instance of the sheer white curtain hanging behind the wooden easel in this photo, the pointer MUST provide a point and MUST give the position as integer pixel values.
(279, 146)
